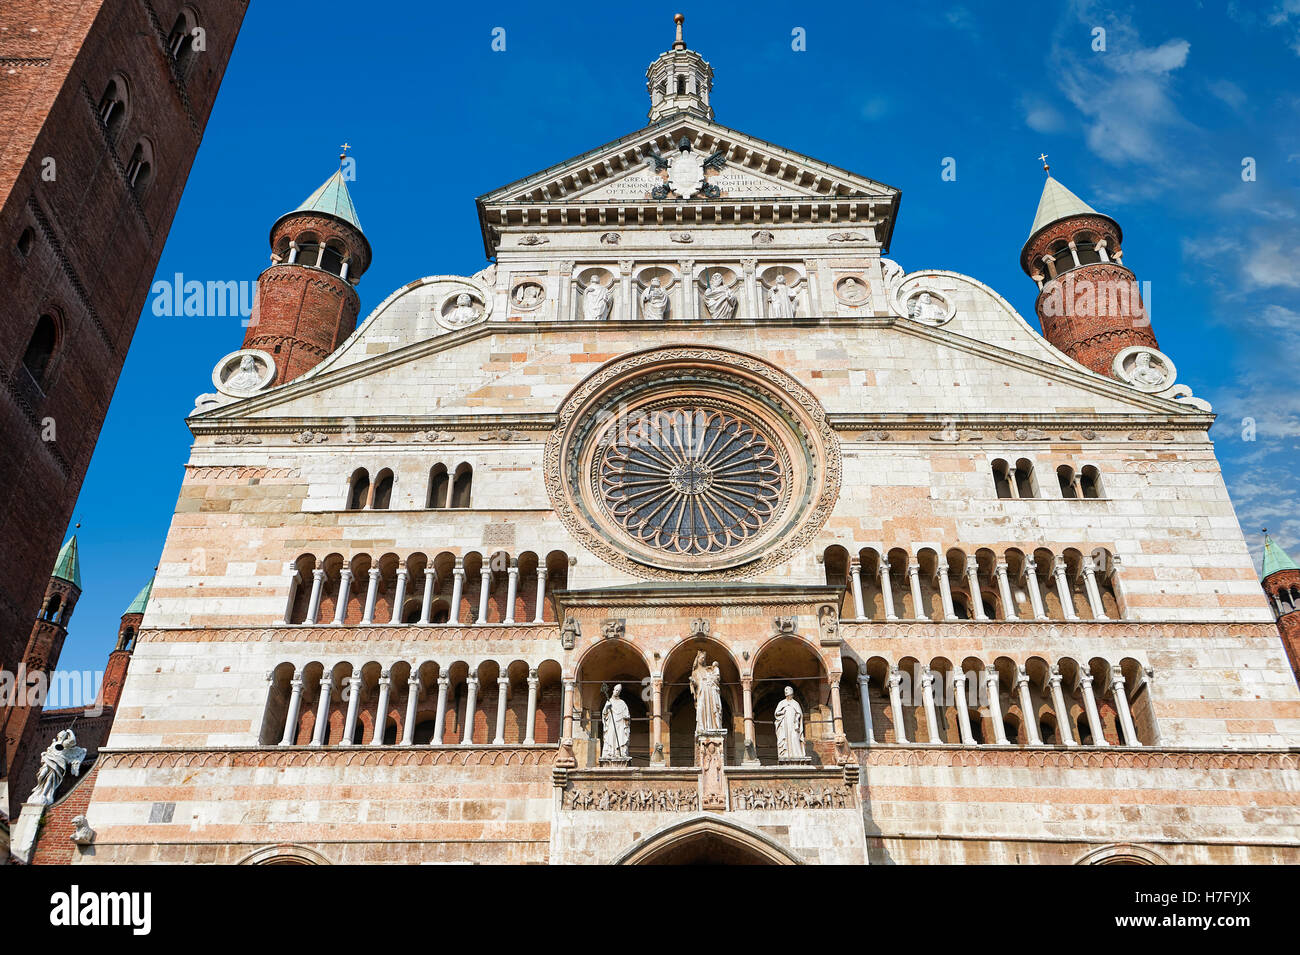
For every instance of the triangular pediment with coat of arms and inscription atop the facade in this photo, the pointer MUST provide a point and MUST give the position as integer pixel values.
(738, 166)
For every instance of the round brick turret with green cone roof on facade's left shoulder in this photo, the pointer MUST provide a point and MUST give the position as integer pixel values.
(307, 303)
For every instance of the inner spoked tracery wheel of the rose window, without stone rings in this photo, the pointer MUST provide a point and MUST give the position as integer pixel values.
(691, 480)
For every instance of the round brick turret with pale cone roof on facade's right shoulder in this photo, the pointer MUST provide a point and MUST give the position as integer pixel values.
(1089, 303)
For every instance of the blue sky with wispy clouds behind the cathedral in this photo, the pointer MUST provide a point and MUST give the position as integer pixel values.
(1152, 131)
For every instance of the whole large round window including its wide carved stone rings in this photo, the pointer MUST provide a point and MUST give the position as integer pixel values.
(681, 462)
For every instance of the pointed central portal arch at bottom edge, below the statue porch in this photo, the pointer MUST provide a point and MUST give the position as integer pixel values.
(705, 840)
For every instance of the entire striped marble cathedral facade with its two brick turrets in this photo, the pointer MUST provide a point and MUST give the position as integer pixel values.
(697, 529)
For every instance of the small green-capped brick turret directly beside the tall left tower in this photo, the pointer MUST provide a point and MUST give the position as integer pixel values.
(21, 717)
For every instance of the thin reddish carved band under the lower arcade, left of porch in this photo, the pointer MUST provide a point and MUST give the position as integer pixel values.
(280, 758)
